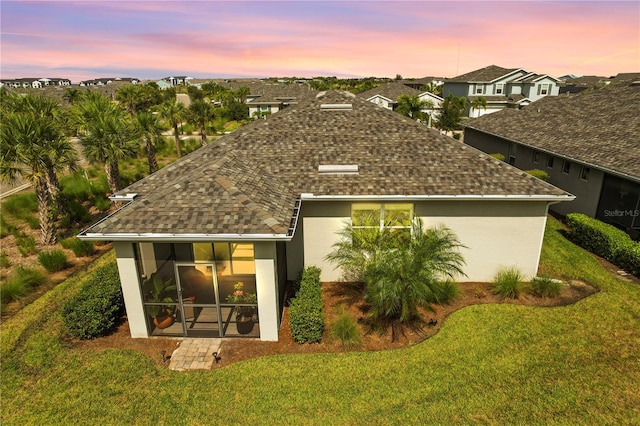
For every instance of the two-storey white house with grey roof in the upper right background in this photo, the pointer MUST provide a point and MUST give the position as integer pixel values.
(501, 88)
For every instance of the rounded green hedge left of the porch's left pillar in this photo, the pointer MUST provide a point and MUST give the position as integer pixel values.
(98, 307)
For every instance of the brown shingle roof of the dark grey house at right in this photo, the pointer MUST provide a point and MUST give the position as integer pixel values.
(598, 127)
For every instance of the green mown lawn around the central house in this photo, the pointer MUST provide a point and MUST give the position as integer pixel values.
(489, 364)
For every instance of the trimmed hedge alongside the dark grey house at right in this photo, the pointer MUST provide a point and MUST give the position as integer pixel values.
(605, 240)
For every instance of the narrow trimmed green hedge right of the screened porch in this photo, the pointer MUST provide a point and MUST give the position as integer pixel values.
(305, 313)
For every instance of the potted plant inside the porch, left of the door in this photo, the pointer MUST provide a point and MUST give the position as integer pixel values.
(157, 290)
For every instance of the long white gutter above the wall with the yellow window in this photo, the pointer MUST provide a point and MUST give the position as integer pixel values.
(549, 198)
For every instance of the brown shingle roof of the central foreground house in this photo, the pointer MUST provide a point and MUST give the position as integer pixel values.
(247, 182)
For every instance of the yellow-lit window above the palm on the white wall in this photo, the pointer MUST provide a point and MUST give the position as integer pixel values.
(394, 216)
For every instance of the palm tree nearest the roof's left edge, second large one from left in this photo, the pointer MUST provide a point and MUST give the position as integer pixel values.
(108, 135)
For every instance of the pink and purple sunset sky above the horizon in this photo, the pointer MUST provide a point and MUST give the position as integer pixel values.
(212, 39)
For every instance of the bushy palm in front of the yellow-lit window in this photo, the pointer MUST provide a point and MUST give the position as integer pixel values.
(401, 273)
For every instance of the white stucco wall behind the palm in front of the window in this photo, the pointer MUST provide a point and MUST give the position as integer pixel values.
(495, 233)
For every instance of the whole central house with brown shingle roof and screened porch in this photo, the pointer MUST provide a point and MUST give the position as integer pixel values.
(270, 198)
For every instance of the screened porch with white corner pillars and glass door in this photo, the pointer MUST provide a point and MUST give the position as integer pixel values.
(202, 289)
